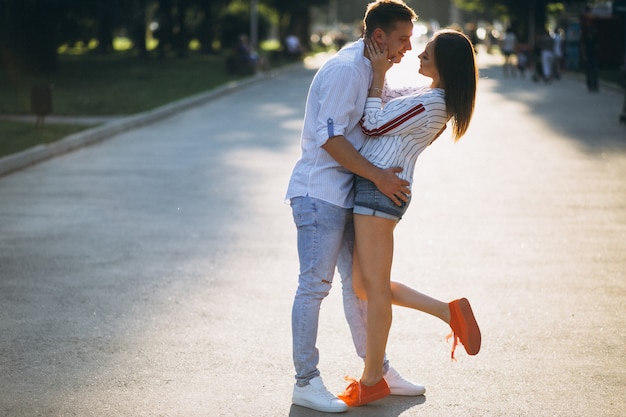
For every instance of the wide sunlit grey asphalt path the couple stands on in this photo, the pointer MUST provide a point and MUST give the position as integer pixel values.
(152, 274)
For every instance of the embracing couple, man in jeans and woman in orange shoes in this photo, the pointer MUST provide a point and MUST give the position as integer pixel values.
(352, 185)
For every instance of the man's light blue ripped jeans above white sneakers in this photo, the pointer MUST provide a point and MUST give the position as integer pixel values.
(325, 241)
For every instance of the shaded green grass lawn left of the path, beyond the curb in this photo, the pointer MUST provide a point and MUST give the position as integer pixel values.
(92, 85)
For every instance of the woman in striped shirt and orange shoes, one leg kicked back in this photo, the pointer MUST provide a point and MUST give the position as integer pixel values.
(404, 128)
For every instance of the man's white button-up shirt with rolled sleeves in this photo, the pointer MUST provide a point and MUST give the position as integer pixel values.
(338, 94)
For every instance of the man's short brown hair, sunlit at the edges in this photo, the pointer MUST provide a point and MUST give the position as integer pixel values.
(384, 14)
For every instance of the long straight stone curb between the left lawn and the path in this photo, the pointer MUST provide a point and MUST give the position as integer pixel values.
(40, 153)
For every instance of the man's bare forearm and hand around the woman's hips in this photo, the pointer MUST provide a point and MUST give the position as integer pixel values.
(385, 180)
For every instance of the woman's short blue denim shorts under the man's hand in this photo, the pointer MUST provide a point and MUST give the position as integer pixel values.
(369, 201)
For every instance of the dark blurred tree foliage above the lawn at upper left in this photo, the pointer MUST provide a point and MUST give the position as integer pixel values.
(31, 31)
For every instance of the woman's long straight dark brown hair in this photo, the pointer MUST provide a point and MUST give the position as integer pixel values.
(456, 62)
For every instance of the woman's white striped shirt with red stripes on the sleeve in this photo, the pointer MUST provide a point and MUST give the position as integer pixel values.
(401, 129)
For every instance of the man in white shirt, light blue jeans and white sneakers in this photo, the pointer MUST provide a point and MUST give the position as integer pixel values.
(320, 194)
